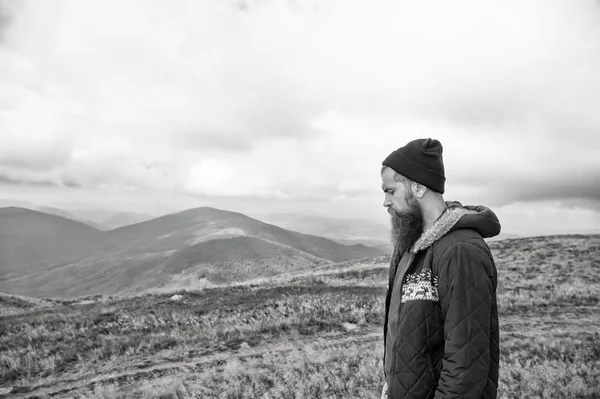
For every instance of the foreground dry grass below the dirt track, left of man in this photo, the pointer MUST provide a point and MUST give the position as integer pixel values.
(313, 371)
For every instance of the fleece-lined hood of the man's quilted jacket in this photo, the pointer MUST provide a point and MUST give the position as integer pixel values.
(457, 216)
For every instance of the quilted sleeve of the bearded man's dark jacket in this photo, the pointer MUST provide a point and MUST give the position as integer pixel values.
(466, 293)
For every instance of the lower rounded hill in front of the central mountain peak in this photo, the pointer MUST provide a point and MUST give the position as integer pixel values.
(211, 262)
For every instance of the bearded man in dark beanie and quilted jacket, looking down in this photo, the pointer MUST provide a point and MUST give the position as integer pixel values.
(441, 334)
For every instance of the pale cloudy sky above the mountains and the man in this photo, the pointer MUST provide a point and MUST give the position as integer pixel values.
(257, 106)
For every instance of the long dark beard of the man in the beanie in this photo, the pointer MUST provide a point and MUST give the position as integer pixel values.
(407, 227)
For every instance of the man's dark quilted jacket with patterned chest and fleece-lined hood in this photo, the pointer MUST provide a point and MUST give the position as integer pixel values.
(441, 320)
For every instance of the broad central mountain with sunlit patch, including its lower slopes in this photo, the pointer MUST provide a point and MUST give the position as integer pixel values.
(200, 243)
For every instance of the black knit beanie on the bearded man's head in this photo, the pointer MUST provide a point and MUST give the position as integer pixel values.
(421, 161)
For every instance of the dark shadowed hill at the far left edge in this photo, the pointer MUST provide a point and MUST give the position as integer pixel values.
(30, 240)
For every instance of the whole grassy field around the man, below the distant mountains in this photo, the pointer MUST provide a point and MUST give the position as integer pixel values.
(303, 336)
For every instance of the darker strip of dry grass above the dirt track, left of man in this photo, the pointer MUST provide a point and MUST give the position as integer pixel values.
(83, 339)
